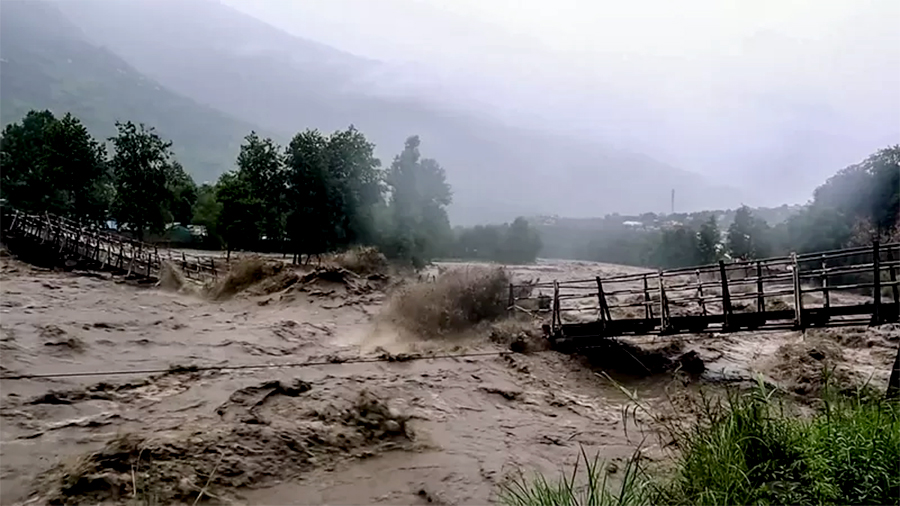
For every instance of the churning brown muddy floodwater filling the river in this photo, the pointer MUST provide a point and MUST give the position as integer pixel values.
(395, 431)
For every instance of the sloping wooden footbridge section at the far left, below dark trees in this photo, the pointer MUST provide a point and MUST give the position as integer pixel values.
(57, 238)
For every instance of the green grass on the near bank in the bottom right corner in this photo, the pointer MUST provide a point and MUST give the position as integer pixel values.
(750, 449)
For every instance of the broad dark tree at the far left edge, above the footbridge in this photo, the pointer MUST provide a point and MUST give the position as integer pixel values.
(54, 165)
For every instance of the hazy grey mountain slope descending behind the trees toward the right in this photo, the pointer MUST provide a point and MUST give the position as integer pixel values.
(233, 63)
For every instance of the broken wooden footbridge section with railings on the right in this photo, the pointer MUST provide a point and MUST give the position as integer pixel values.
(851, 286)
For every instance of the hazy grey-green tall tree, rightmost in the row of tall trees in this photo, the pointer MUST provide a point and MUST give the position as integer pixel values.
(419, 196)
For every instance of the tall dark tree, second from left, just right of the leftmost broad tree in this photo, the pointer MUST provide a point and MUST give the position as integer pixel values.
(143, 169)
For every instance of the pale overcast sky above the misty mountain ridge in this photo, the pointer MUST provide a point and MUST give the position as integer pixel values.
(742, 91)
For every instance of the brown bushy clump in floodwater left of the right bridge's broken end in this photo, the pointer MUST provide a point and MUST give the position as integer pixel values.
(457, 300)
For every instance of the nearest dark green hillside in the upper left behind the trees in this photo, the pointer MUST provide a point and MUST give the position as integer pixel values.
(46, 62)
